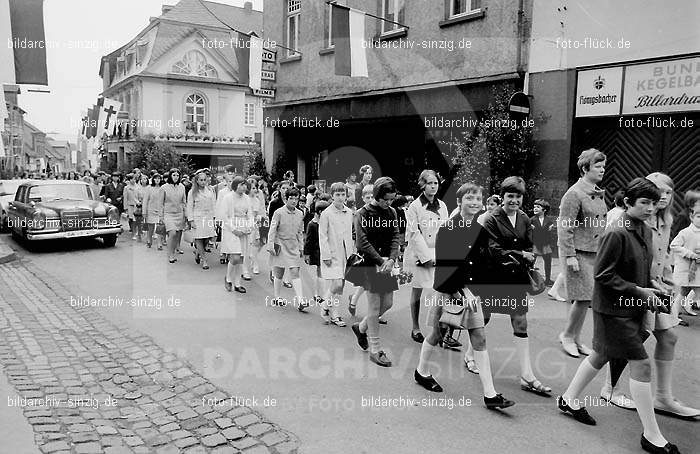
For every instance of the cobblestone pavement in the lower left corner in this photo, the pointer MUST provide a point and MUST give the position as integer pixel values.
(88, 385)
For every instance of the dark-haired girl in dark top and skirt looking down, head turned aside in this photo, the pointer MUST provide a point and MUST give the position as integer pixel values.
(377, 240)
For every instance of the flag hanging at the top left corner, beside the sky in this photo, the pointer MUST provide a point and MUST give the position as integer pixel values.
(23, 46)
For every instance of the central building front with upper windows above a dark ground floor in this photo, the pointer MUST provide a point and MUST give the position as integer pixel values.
(440, 69)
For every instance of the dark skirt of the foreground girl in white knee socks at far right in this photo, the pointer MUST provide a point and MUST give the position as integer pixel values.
(619, 337)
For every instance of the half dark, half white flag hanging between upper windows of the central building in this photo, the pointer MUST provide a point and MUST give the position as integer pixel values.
(348, 36)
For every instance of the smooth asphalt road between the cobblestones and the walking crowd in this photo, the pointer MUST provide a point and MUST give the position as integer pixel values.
(314, 381)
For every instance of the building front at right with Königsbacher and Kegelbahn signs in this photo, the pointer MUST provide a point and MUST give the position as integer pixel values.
(626, 81)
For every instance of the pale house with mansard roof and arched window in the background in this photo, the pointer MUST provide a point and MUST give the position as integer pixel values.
(179, 81)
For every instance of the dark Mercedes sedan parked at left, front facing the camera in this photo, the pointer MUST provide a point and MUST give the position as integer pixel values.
(52, 209)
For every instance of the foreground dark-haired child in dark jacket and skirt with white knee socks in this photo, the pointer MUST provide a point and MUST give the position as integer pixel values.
(622, 293)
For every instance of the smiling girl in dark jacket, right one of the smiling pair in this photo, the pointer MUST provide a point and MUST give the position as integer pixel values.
(510, 244)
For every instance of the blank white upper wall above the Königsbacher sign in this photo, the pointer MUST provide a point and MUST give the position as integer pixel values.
(653, 28)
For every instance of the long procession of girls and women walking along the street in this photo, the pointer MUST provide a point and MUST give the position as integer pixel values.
(634, 265)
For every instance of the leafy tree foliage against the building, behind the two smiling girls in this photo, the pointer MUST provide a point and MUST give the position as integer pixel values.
(498, 148)
